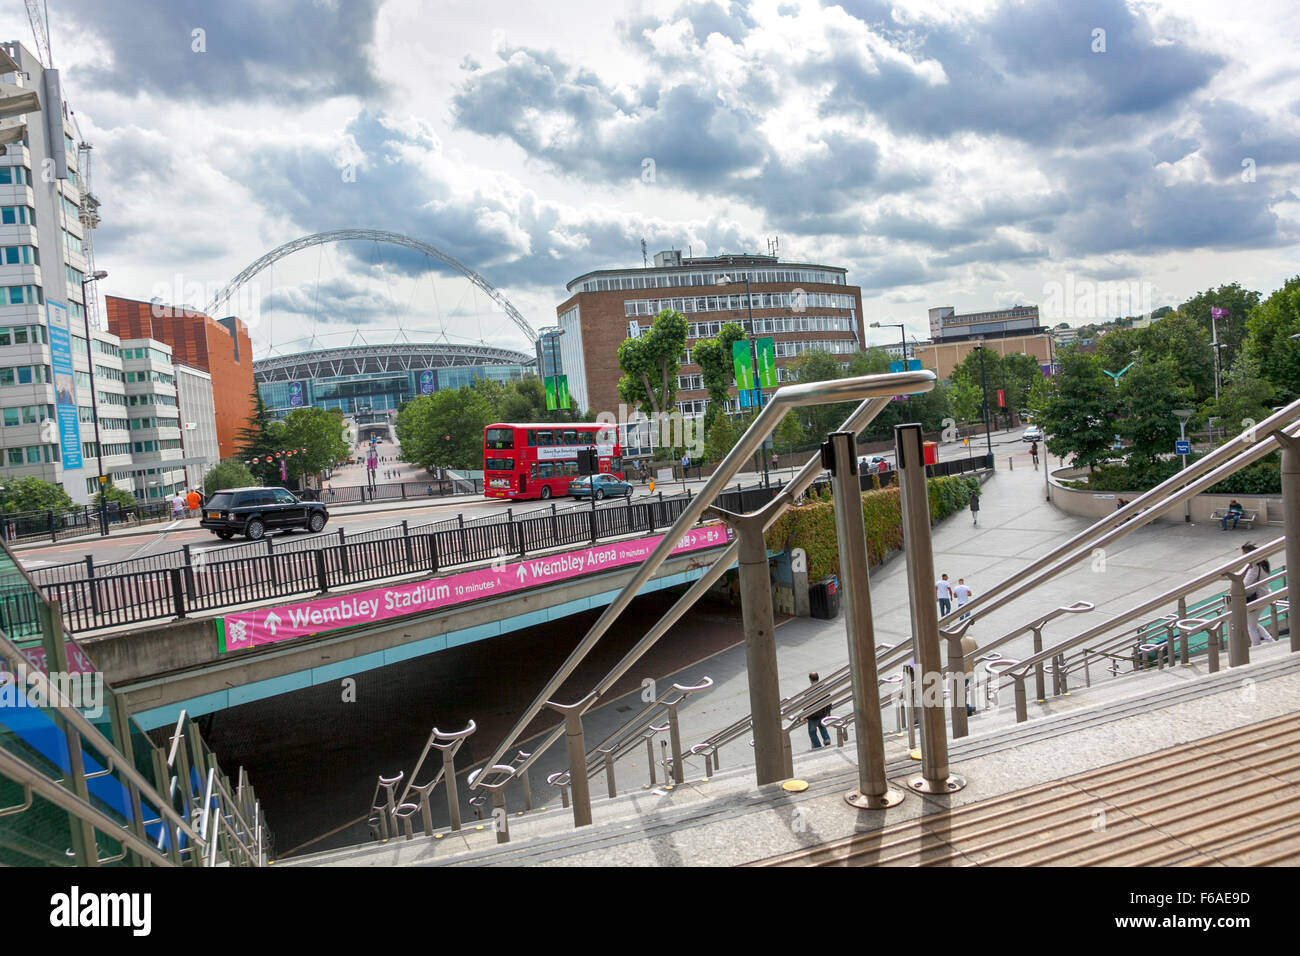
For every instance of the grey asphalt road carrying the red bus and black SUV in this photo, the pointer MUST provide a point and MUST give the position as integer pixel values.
(176, 535)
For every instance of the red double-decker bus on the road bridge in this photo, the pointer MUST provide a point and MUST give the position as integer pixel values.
(540, 461)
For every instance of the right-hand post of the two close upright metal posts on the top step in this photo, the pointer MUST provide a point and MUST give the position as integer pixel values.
(909, 452)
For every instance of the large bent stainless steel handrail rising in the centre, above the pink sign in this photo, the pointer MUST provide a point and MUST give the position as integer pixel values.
(872, 387)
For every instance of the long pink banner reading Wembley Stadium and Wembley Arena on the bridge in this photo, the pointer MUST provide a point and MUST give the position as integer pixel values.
(284, 624)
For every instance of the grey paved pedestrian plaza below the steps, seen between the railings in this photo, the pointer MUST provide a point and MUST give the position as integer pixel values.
(1016, 526)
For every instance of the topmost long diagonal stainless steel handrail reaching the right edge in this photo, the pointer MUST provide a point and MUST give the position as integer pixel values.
(1206, 473)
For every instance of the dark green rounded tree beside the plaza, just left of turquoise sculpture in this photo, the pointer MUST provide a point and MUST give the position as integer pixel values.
(1080, 410)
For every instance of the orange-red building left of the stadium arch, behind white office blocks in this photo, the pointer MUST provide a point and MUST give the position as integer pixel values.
(219, 347)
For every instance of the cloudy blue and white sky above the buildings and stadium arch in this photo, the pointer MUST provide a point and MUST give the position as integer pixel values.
(947, 153)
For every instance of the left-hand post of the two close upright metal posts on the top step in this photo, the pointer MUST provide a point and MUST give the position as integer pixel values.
(874, 790)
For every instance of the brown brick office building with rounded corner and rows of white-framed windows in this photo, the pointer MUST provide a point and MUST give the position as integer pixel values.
(801, 306)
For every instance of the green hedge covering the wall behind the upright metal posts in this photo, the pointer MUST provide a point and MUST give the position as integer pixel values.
(812, 526)
